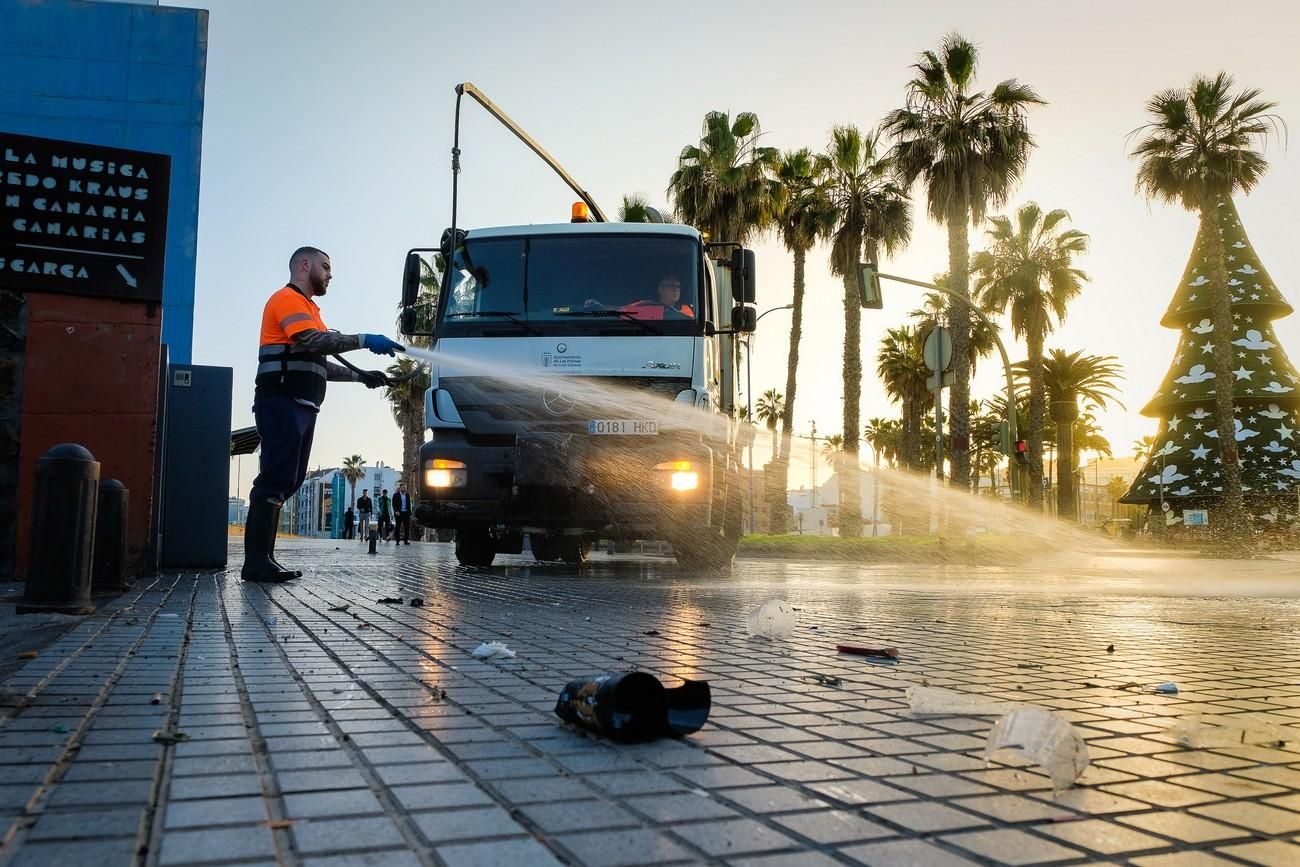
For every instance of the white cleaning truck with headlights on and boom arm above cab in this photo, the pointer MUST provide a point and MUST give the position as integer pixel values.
(583, 385)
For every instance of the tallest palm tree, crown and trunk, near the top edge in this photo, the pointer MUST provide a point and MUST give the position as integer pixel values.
(969, 149)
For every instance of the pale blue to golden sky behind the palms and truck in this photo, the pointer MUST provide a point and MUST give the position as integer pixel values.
(328, 123)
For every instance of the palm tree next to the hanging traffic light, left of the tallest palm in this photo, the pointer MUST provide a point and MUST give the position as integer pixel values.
(872, 211)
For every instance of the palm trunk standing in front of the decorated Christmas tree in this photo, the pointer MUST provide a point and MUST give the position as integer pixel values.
(1233, 522)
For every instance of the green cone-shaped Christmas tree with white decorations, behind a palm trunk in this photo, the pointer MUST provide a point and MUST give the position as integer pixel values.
(1184, 467)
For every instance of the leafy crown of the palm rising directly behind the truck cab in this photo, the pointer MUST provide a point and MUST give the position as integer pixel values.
(725, 187)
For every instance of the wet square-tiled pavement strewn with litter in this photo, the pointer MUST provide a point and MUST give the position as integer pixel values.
(371, 736)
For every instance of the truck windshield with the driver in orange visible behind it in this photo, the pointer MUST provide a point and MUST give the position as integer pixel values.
(575, 285)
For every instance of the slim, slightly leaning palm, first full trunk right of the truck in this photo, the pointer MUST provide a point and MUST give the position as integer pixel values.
(804, 216)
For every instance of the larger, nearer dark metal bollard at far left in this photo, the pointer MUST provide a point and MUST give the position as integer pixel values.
(63, 532)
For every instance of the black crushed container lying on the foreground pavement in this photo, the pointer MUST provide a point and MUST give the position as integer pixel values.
(635, 706)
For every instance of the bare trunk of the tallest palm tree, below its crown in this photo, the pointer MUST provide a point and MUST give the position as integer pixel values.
(960, 323)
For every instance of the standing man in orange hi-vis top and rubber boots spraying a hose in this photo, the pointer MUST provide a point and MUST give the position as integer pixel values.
(291, 388)
